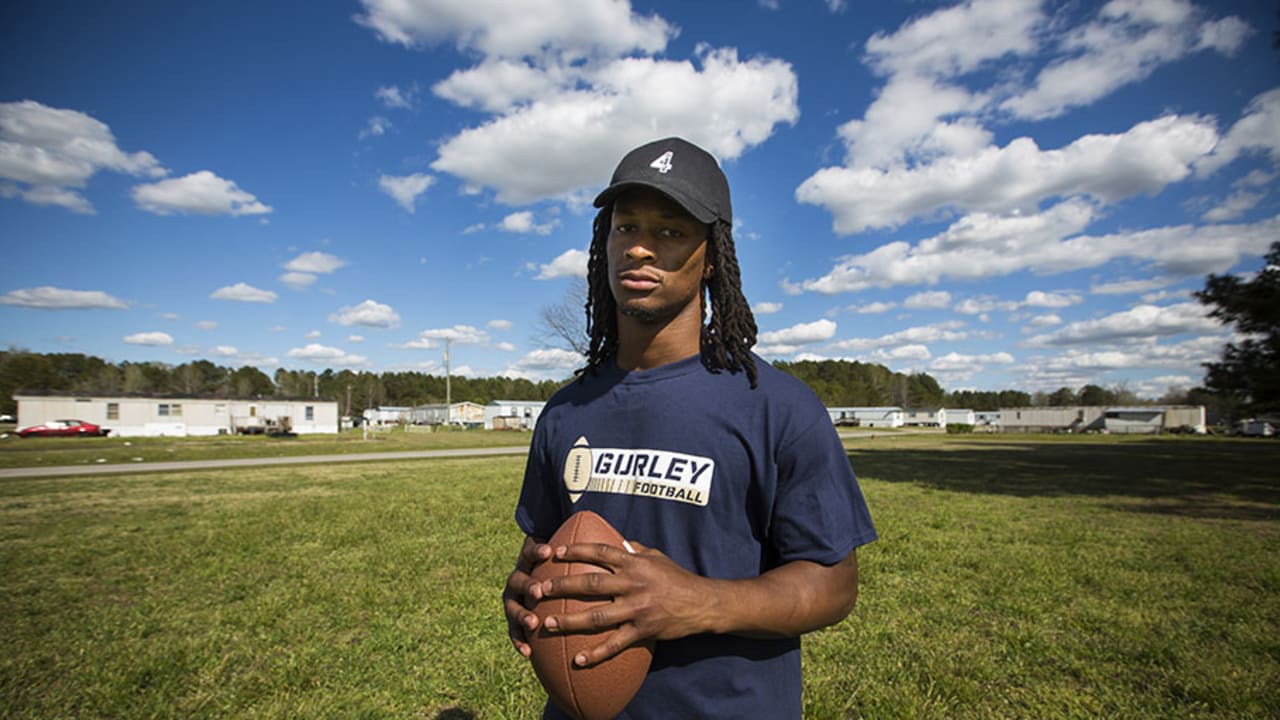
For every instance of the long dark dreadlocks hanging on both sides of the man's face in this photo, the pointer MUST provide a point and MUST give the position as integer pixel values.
(728, 339)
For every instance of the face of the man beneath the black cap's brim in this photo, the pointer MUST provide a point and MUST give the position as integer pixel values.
(657, 258)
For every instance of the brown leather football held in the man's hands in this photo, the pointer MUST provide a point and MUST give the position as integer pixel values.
(587, 694)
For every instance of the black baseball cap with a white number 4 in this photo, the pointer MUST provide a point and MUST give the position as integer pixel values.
(680, 170)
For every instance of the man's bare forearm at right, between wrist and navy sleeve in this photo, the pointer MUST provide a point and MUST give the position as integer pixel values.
(792, 600)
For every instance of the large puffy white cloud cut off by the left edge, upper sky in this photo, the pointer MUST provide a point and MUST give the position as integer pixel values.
(52, 153)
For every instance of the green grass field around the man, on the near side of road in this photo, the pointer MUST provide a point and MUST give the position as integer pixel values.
(1016, 577)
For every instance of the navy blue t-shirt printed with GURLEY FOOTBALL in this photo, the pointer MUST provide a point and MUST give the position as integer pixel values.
(728, 481)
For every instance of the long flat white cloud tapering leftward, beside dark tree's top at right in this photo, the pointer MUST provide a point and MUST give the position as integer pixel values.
(1140, 322)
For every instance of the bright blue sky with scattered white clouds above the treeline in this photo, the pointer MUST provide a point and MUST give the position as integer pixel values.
(1002, 194)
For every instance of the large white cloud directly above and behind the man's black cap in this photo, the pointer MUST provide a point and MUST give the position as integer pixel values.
(575, 134)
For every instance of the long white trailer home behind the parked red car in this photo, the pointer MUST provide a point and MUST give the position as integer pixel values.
(138, 416)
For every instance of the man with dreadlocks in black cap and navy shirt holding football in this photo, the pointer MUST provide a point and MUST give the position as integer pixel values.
(725, 475)
